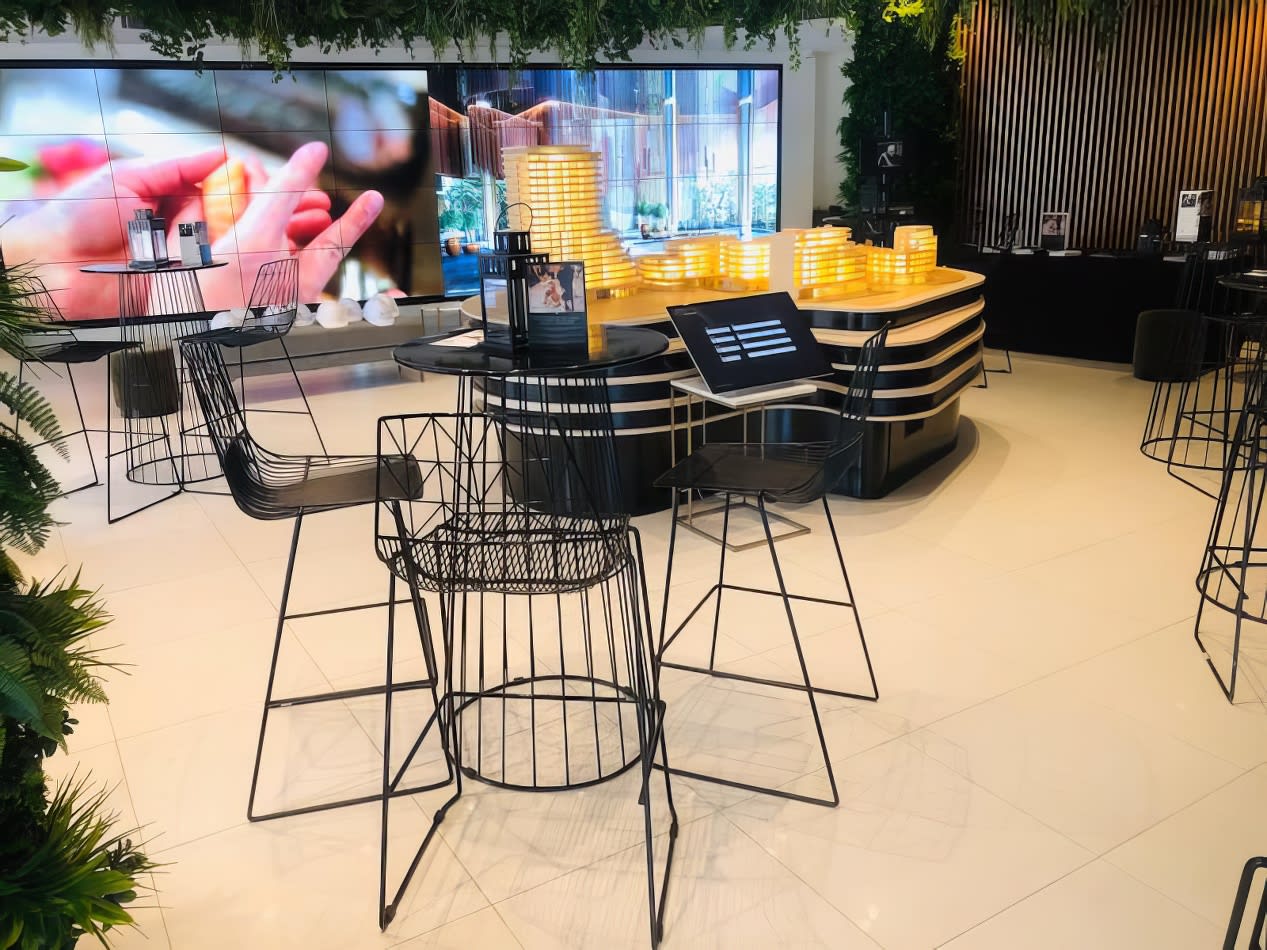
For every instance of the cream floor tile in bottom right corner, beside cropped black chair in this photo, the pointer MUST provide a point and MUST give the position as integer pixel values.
(1195, 857)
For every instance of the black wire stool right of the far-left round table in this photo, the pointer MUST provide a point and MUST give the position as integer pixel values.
(271, 313)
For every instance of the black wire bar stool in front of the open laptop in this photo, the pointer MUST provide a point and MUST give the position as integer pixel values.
(789, 474)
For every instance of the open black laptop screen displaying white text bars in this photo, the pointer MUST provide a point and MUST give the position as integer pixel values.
(749, 341)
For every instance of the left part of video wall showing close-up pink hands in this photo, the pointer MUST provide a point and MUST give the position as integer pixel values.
(330, 167)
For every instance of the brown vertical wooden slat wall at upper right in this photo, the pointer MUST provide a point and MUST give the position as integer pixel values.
(1179, 101)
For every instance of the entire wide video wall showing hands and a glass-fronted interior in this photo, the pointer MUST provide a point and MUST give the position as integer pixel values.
(377, 180)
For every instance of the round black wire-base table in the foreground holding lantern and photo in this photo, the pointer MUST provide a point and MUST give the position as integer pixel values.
(547, 667)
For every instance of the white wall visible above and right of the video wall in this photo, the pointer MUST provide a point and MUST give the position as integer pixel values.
(812, 93)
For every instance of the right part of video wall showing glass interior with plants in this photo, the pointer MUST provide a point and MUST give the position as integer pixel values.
(685, 151)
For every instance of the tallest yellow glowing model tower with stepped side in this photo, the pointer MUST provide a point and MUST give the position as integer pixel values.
(563, 188)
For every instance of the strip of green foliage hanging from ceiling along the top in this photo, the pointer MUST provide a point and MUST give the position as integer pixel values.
(580, 32)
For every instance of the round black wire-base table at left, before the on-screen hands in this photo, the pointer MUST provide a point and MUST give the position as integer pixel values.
(158, 307)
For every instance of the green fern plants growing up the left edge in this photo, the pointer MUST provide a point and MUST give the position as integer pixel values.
(64, 871)
